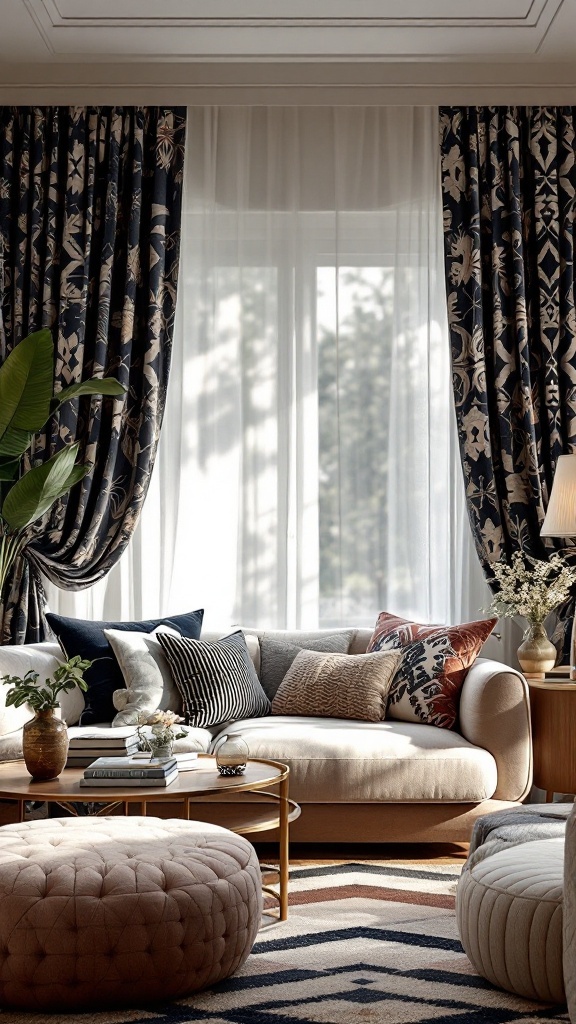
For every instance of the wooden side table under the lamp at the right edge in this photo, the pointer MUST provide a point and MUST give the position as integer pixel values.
(553, 706)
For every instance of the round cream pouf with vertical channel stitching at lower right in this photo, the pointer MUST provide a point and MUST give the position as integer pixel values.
(509, 909)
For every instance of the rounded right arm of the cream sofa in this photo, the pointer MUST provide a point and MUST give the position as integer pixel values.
(496, 715)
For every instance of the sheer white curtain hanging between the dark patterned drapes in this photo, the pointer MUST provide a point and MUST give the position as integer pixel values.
(309, 473)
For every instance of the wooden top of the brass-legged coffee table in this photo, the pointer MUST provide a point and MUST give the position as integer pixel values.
(203, 781)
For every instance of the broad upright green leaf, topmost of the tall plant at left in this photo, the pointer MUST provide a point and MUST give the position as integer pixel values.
(26, 391)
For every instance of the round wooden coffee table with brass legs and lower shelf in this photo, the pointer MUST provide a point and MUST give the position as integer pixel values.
(269, 810)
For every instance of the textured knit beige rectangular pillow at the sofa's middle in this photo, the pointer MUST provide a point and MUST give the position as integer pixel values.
(338, 686)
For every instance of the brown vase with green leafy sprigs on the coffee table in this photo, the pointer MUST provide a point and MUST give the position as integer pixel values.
(46, 737)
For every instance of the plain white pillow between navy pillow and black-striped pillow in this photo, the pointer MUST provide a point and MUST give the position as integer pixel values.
(147, 674)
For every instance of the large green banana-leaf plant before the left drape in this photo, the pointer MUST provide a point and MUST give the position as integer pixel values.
(27, 402)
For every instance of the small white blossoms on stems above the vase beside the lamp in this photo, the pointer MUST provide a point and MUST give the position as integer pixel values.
(531, 587)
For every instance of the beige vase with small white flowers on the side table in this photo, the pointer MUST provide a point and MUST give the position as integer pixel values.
(532, 588)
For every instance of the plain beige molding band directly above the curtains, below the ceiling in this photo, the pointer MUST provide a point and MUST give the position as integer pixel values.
(292, 83)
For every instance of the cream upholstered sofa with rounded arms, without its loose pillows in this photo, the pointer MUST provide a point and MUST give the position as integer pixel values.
(385, 782)
